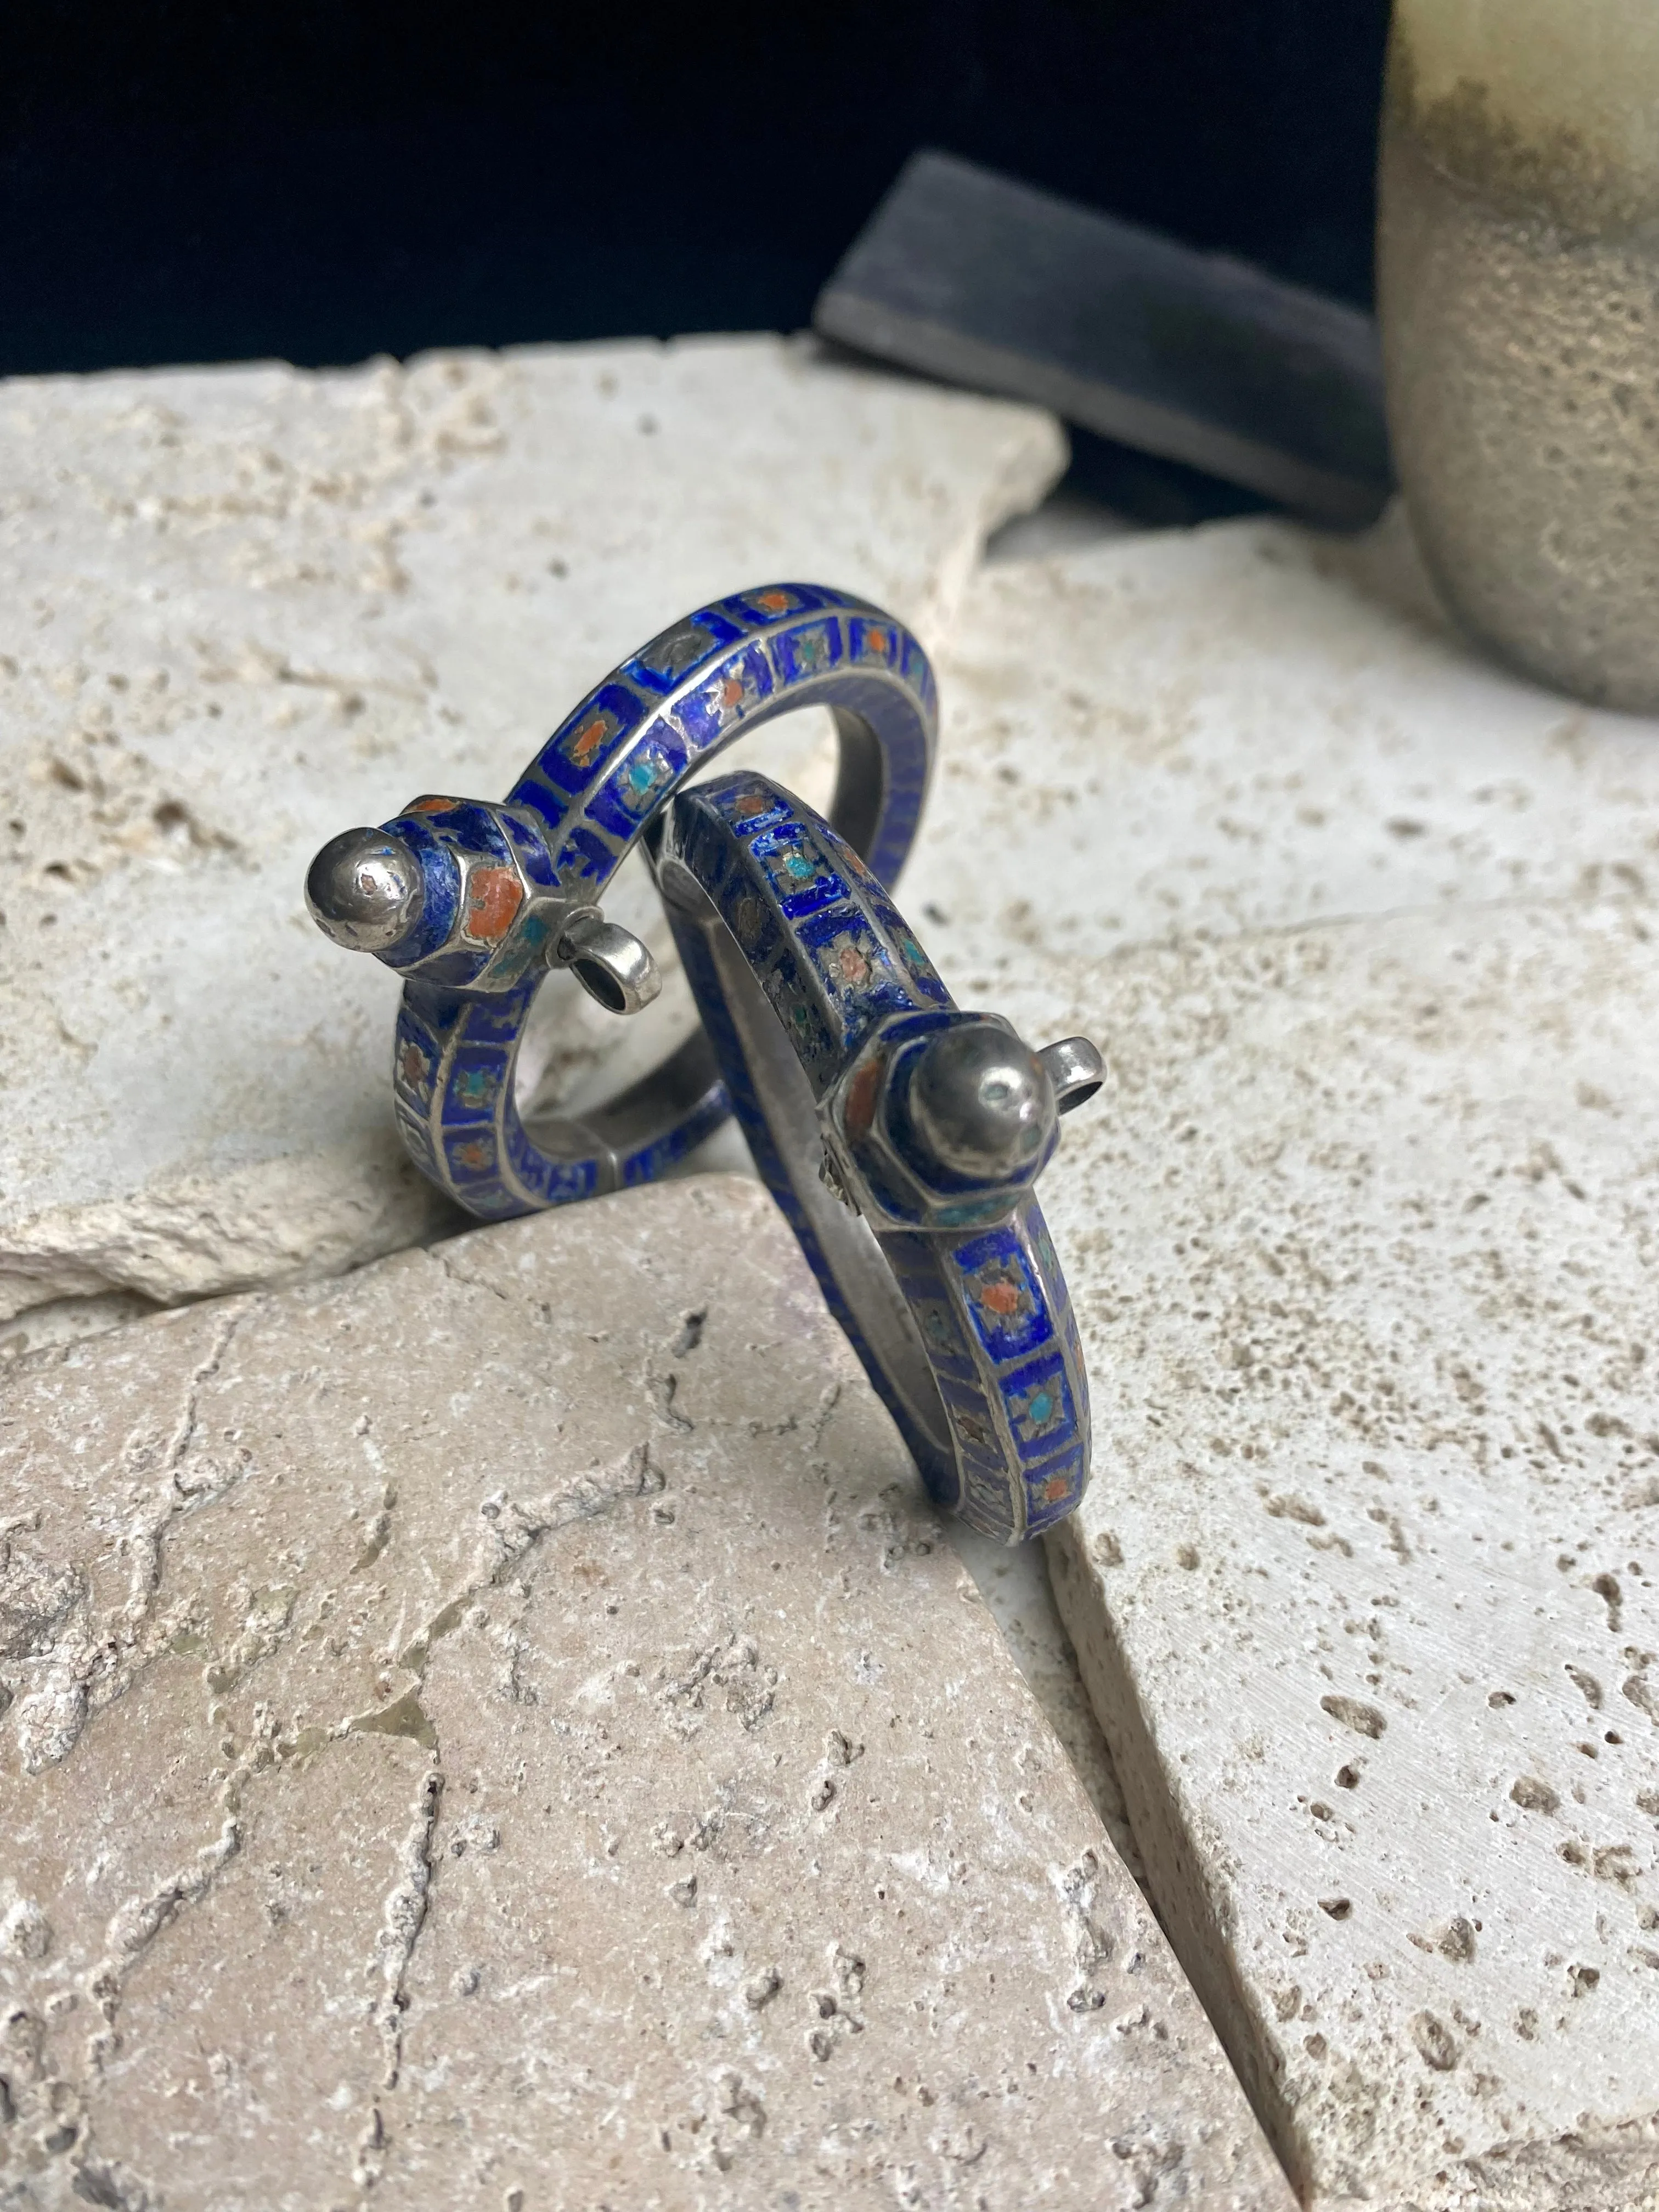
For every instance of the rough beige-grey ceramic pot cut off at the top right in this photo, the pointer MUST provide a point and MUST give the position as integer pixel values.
(1519, 286)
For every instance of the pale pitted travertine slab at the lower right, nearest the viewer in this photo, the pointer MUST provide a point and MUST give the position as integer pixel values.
(1366, 1253)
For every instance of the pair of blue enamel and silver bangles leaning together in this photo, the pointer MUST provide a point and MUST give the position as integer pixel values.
(899, 1136)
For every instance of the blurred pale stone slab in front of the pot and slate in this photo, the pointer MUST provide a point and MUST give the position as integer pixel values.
(1249, 727)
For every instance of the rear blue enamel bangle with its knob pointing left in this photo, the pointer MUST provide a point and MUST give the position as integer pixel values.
(472, 901)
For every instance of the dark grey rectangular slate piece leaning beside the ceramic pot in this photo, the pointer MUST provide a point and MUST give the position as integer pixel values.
(985, 282)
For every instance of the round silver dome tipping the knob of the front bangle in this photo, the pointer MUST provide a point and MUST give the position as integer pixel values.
(983, 1105)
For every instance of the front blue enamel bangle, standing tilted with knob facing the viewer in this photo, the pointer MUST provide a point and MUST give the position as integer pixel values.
(901, 1138)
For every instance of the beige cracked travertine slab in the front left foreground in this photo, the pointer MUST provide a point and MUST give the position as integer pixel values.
(503, 1729)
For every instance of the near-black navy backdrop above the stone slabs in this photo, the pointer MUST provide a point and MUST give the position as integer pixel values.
(335, 178)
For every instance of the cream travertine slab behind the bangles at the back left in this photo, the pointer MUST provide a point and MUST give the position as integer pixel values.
(242, 609)
